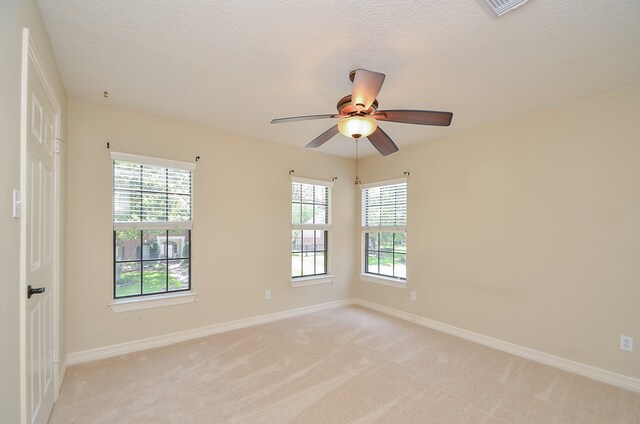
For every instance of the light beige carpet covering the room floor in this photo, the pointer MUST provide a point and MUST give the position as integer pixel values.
(348, 365)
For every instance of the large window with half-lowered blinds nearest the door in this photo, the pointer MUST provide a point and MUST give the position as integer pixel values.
(152, 223)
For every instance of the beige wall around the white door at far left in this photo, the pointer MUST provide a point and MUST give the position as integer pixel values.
(14, 15)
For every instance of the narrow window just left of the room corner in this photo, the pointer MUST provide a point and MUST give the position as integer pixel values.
(310, 224)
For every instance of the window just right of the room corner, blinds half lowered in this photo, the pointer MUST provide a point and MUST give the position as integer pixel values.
(384, 228)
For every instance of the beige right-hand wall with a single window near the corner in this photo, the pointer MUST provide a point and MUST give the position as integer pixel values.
(528, 230)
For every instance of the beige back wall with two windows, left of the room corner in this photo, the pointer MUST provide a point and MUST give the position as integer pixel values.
(241, 236)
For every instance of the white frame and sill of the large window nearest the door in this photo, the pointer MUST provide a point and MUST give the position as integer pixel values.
(167, 296)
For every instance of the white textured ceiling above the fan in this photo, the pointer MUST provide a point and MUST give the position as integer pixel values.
(236, 65)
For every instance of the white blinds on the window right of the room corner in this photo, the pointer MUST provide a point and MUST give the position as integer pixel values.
(384, 206)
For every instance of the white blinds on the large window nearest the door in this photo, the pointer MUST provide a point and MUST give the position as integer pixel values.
(148, 195)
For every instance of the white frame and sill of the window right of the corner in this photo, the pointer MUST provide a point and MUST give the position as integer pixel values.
(365, 274)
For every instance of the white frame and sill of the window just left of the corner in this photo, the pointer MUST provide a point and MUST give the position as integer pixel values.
(325, 277)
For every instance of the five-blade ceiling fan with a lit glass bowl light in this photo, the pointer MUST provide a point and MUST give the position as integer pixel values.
(358, 113)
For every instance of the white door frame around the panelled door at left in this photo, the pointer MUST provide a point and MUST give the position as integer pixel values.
(29, 54)
